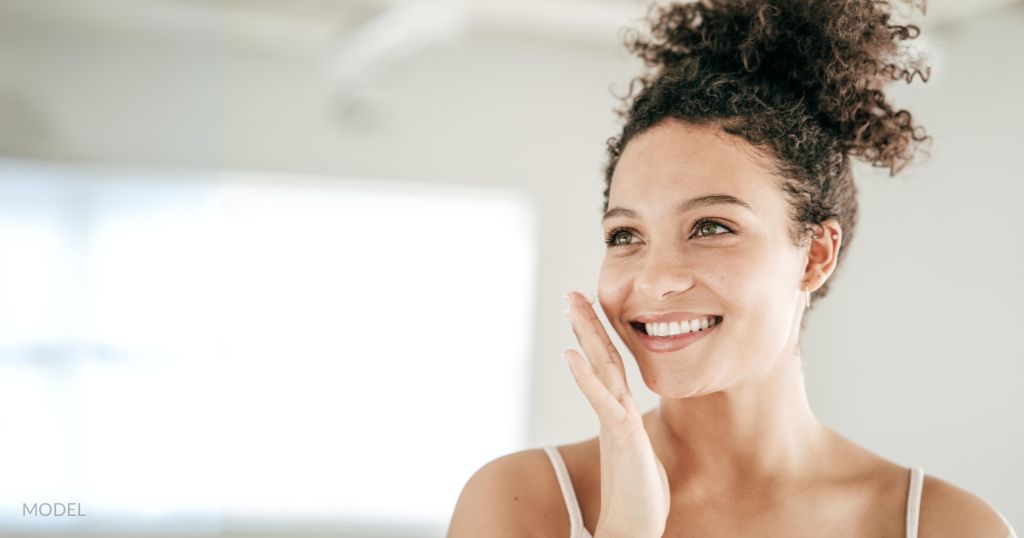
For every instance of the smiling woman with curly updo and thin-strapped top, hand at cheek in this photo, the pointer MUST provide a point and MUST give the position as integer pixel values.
(730, 205)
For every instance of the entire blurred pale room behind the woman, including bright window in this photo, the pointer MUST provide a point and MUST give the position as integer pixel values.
(295, 268)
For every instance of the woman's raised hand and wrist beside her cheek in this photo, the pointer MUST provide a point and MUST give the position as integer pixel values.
(634, 485)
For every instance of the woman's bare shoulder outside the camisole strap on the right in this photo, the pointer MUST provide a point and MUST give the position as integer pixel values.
(950, 511)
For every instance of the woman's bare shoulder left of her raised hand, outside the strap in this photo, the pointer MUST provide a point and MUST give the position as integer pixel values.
(516, 495)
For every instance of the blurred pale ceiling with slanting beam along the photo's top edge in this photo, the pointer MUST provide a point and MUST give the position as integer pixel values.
(357, 39)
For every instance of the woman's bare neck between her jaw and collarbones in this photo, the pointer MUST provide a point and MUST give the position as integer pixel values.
(758, 435)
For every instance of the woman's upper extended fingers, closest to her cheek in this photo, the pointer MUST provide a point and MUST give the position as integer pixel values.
(598, 347)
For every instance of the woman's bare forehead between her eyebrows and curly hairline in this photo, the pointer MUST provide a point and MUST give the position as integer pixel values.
(674, 161)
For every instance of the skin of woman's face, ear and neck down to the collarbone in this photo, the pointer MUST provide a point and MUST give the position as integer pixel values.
(734, 409)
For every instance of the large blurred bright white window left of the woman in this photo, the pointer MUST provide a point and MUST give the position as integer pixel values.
(228, 351)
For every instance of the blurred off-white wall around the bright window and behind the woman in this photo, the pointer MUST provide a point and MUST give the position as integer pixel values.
(914, 355)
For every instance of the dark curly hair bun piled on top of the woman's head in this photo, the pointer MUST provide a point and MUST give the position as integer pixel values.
(833, 57)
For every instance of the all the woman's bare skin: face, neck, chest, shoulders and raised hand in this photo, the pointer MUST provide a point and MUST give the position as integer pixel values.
(740, 447)
